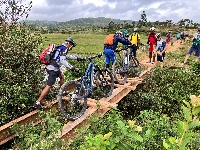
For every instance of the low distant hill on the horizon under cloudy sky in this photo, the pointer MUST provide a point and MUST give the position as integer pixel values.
(100, 21)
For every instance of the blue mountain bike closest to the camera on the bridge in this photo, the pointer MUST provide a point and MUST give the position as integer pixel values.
(75, 93)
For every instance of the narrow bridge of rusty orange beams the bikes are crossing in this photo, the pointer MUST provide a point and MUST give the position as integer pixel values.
(68, 130)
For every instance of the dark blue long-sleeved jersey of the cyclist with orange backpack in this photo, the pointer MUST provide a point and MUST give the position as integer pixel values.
(117, 39)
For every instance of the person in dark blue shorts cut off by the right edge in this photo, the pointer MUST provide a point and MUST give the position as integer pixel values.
(195, 46)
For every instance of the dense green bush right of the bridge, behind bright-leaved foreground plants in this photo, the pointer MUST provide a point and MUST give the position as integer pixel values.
(163, 91)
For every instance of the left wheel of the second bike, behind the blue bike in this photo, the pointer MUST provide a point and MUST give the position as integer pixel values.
(120, 72)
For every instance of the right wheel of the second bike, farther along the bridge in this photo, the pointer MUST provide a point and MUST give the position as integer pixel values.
(135, 68)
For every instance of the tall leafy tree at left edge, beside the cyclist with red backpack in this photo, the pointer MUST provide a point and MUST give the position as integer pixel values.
(20, 71)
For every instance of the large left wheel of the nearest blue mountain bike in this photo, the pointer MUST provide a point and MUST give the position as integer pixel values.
(71, 100)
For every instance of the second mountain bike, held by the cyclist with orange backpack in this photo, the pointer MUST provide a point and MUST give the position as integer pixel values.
(125, 65)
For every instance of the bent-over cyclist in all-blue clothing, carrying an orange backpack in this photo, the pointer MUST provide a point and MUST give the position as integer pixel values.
(109, 50)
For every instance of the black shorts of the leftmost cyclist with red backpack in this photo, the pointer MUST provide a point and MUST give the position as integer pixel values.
(52, 76)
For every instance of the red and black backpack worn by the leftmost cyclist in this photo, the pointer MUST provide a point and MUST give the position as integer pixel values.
(48, 54)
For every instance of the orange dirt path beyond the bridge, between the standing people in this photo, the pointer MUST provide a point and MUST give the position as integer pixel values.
(170, 48)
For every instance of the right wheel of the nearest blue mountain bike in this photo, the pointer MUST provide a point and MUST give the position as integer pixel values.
(104, 82)
